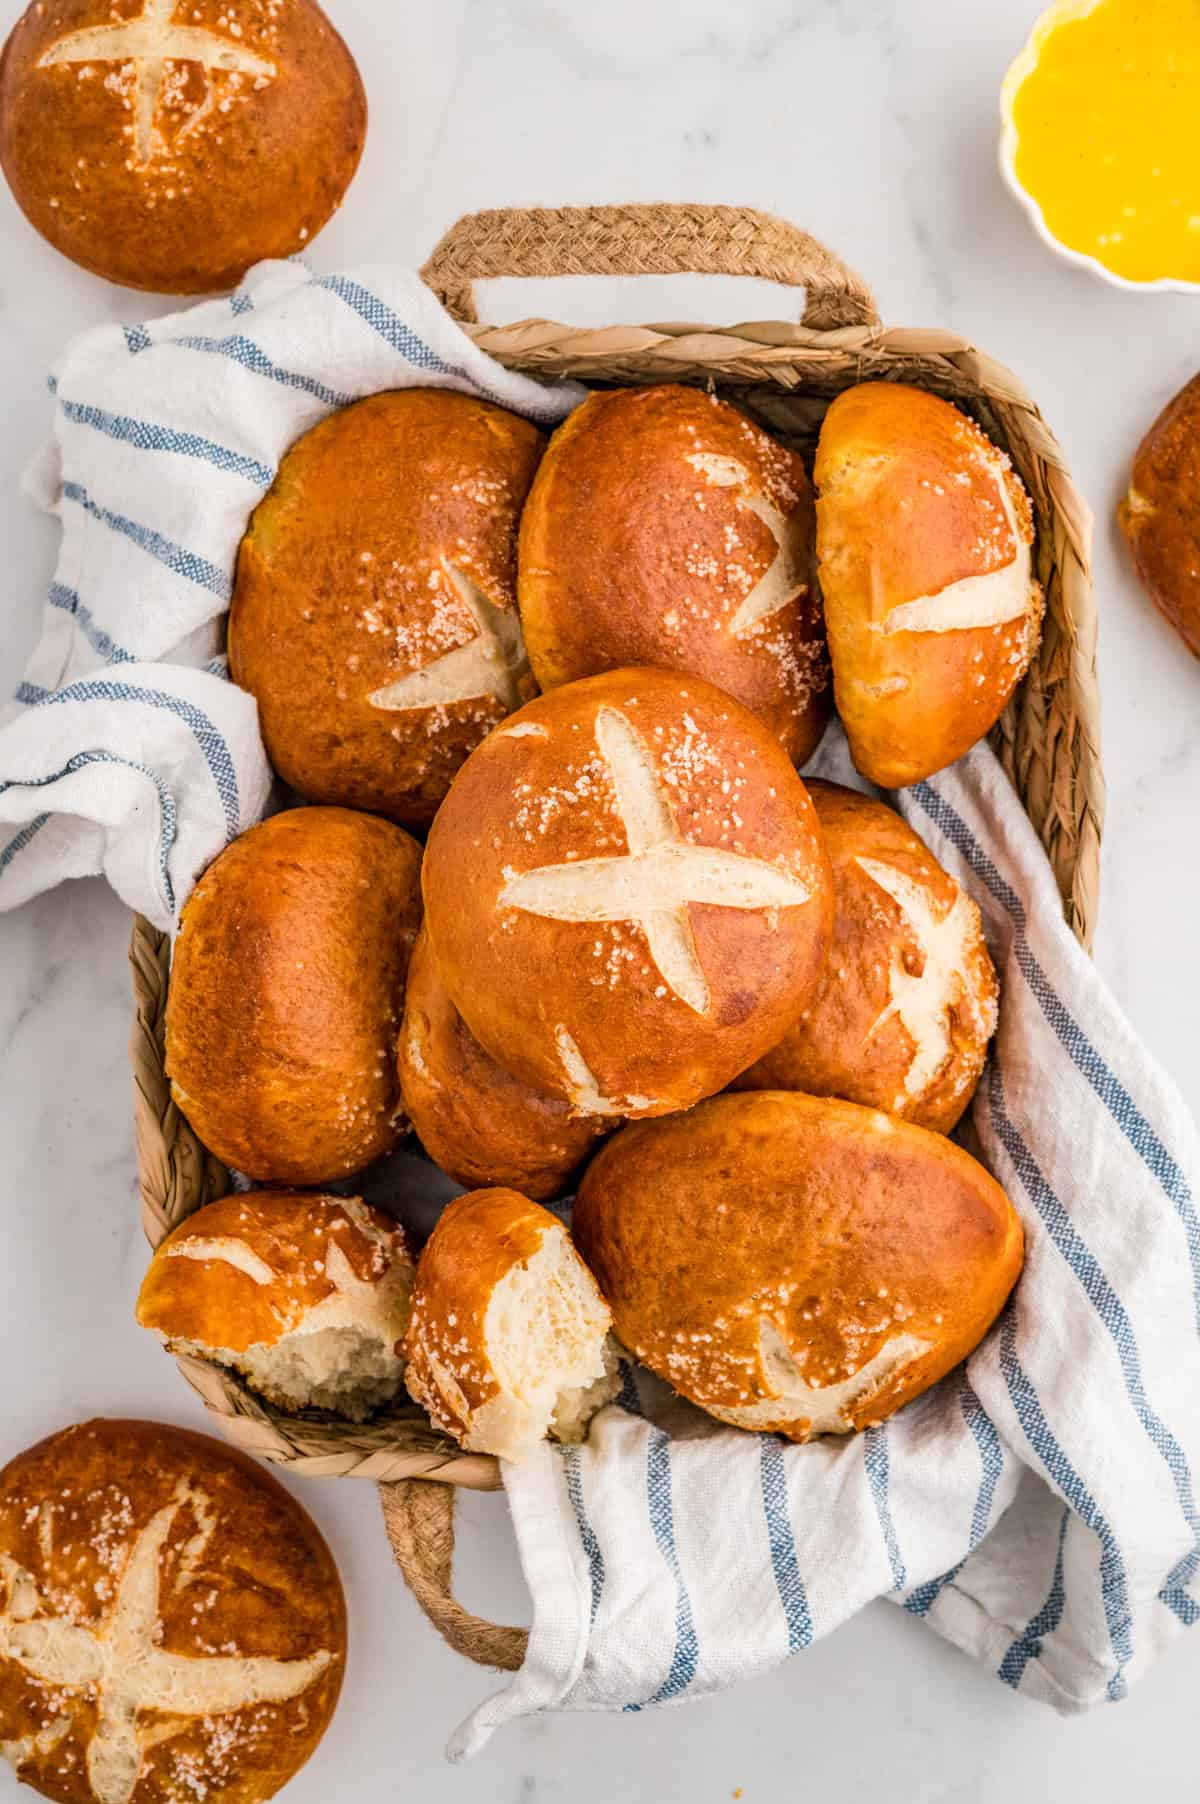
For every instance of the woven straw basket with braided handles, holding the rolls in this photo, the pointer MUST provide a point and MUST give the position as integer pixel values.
(784, 376)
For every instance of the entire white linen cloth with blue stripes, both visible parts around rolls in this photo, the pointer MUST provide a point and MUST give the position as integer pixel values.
(1037, 1507)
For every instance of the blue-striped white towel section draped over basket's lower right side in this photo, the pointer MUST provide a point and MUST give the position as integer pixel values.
(1040, 1505)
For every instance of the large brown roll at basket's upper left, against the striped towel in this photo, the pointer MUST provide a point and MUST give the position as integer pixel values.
(374, 614)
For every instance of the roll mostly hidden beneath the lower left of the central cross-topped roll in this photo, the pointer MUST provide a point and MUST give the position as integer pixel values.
(474, 1119)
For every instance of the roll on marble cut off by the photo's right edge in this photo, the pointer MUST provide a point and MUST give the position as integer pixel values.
(1161, 513)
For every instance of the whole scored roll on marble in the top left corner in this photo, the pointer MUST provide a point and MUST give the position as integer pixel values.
(172, 143)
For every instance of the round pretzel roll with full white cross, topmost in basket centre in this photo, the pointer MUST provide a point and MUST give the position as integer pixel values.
(627, 892)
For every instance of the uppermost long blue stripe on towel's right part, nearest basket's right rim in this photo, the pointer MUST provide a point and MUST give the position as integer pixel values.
(1084, 1054)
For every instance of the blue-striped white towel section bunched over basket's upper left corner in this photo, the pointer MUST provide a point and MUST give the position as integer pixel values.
(125, 750)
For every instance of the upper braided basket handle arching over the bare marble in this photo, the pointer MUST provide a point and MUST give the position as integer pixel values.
(647, 241)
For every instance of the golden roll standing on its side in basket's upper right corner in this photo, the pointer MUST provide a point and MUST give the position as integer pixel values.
(925, 542)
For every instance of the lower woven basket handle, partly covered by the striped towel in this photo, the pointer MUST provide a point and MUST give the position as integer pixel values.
(420, 1516)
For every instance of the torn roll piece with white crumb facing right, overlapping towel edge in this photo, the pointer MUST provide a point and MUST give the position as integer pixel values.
(508, 1339)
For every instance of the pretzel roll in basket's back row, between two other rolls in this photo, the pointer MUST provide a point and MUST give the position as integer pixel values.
(669, 529)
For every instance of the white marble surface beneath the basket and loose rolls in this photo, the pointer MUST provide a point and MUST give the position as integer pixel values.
(872, 124)
